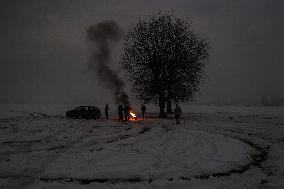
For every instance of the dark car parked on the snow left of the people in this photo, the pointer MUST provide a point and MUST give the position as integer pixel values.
(87, 112)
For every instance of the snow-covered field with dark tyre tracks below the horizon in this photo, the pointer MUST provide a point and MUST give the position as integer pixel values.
(213, 147)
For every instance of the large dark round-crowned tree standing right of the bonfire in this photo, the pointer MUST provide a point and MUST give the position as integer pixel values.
(164, 58)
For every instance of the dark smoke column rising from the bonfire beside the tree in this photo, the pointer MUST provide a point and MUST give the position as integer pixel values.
(103, 36)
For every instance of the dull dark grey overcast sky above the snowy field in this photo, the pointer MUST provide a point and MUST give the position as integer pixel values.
(43, 50)
